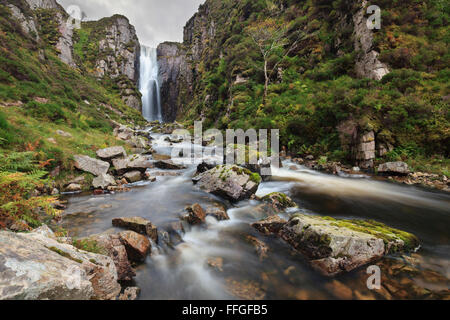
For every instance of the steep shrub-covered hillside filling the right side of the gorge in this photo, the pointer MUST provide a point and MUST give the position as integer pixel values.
(333, 85)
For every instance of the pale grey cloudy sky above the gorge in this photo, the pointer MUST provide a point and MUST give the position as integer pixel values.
(156, 21)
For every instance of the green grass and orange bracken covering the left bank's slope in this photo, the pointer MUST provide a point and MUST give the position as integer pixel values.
(39, 95)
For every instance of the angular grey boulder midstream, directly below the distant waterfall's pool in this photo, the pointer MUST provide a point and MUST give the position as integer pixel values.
(231, 182)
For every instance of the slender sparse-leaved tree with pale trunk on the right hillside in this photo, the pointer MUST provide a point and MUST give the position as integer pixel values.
(271, 39)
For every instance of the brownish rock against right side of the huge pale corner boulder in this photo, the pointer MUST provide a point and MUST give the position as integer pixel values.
(110, 245)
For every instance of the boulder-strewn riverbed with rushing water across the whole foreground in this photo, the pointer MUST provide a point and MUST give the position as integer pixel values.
(185, 231)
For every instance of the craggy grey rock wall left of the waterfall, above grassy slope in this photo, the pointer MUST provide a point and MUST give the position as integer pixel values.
(107, 49)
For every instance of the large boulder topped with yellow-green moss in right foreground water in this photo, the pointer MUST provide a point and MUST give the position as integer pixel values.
(334, 246)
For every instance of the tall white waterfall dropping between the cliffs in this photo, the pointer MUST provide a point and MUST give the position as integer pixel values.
(149, 84)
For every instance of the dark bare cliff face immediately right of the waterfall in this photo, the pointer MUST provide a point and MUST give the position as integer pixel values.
(176, 79)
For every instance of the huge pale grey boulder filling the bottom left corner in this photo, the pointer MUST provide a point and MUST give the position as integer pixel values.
(35, 266)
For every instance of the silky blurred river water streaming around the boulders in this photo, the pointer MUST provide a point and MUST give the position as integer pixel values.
(185, 272)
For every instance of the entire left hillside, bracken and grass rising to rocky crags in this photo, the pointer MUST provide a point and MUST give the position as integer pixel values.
(51, 106)
